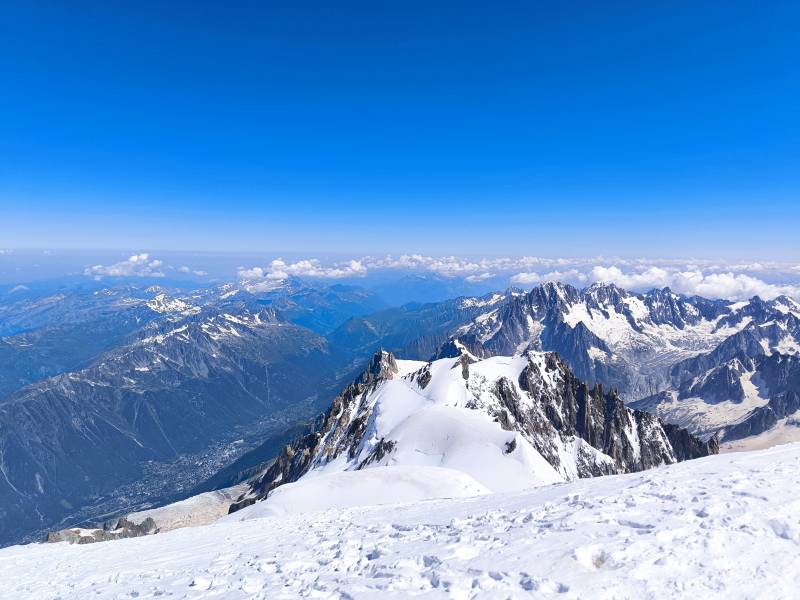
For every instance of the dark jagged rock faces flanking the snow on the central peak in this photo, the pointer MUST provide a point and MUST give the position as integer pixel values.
(550, 415)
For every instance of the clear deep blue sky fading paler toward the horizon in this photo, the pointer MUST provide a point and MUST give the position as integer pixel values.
(560, 128)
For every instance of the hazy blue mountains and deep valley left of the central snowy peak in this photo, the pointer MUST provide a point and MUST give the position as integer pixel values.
(119, 396)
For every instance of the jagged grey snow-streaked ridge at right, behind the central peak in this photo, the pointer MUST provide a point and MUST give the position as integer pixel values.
(606, 334)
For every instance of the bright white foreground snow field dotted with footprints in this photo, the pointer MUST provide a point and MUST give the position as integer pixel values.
(725, 526)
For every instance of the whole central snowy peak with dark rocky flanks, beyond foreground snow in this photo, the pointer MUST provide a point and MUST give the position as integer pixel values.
(506, 422)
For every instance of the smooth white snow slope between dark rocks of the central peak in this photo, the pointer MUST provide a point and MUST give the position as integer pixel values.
(436, 425)
